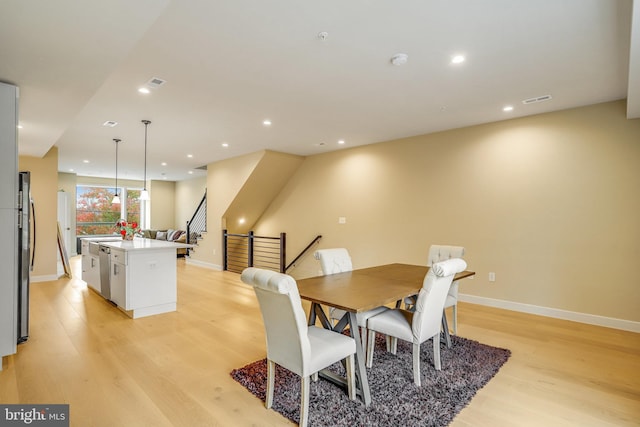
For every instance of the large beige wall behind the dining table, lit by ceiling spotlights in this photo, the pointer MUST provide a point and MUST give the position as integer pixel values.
(550, 203)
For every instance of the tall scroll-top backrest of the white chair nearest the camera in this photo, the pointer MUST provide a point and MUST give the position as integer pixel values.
(284, 318)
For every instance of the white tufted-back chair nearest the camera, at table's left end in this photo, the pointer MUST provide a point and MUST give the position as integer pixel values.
(291, 343)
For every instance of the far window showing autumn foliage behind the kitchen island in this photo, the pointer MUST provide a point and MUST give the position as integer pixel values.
(95, 214)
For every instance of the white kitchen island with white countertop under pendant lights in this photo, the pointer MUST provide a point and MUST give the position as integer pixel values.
(143, 276)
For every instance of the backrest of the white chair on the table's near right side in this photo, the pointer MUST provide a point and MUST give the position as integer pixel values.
(432, 296)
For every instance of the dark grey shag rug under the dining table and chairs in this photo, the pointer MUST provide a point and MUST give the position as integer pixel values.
(396, 401)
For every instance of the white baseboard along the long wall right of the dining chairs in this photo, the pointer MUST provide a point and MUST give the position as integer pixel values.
(591, 319)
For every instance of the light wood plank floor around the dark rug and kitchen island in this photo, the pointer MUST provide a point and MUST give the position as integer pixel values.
(173, 369)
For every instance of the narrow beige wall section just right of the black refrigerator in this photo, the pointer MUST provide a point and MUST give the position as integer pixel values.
(44, 191)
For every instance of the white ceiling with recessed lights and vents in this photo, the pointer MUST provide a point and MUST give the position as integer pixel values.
(231, 64)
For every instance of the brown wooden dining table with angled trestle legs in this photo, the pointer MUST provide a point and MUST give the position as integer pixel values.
(357, 291)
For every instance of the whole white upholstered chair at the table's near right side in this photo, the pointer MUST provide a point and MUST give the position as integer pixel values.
(424, 322)
